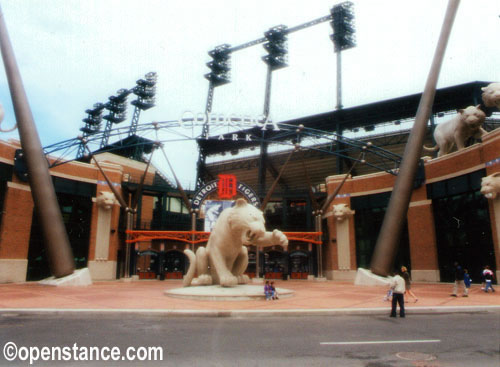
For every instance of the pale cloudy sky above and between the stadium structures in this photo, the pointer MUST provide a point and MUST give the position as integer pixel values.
(74, 53)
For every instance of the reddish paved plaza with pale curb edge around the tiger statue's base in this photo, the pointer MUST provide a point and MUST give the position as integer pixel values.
(311, 297)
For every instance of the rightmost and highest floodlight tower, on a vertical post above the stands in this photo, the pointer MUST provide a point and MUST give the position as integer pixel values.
(343, 38)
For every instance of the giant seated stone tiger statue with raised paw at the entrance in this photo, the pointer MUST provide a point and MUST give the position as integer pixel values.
(225, 258)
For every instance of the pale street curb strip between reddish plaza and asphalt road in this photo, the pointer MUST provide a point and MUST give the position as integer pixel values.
(6, 312)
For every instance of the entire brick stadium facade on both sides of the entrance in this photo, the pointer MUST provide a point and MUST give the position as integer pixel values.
(448, 219)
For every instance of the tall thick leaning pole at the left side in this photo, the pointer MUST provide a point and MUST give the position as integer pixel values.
(56, 240)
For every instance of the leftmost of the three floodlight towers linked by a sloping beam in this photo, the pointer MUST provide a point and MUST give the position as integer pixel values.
(220, 74)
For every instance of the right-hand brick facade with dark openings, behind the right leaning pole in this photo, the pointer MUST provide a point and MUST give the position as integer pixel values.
(448, 219)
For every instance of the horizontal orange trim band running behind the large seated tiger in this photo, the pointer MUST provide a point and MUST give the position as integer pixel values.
(195, 237)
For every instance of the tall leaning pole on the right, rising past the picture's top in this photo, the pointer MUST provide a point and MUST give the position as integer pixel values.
(387, 242)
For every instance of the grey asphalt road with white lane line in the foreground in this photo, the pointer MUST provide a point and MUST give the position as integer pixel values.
(433, 340)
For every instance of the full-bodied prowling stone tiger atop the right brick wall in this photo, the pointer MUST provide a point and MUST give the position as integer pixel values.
(457, 130)
